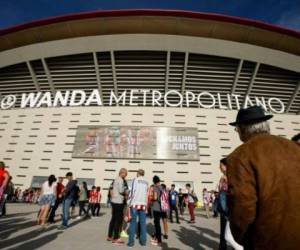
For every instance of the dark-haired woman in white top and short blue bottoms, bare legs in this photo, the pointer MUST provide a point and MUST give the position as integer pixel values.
(48, 197)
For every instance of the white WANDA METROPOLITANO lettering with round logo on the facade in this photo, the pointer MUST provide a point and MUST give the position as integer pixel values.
(141, 97)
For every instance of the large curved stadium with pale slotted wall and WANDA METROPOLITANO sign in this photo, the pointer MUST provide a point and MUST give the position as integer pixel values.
(153, 89)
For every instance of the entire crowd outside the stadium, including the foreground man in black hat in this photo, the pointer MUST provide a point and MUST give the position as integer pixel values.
(256, 198)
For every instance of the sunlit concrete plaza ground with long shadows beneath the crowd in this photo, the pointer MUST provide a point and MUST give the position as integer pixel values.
(19, 232)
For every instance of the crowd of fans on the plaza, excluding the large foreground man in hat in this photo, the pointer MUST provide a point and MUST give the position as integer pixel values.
(128, 203)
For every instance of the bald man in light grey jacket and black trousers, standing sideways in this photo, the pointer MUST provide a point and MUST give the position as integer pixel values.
(118, 194)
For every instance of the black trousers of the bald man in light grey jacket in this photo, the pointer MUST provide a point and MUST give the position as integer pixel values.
(116, 220)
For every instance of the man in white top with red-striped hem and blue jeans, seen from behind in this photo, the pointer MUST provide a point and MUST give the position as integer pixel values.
(137, 203)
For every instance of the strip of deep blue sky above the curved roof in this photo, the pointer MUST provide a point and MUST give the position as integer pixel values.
(284, 13)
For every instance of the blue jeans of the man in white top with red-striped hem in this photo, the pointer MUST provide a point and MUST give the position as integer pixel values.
(142, 222)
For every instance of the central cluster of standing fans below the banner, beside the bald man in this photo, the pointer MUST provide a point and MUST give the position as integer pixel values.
(130, 204)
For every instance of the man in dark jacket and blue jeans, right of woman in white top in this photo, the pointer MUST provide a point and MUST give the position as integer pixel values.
(69, 195)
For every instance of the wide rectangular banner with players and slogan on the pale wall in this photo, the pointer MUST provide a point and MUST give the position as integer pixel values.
(130, 142)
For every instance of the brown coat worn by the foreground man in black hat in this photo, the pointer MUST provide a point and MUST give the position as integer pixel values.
(264, 193)
